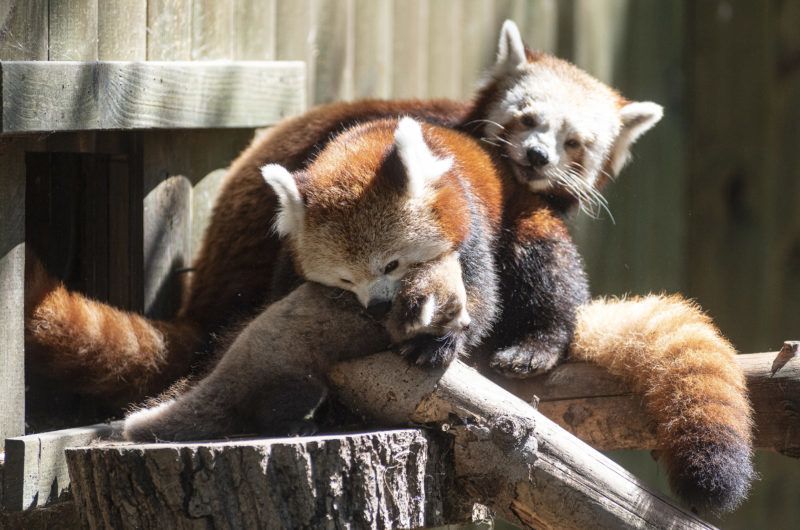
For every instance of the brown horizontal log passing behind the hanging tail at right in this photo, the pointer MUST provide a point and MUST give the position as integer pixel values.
(601, 410)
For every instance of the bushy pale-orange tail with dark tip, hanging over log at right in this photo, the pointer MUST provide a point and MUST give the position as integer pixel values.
(674, 355)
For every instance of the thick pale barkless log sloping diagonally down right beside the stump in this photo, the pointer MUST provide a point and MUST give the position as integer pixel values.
(507, 455)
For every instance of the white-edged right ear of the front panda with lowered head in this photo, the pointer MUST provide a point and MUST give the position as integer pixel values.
(421, 165)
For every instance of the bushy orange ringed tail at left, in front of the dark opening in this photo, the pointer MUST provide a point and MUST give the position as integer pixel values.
(98, 349)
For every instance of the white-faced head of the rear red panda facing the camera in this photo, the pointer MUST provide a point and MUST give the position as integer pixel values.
(565, 131)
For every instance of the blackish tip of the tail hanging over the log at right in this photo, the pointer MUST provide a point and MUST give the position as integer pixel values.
(714, 478)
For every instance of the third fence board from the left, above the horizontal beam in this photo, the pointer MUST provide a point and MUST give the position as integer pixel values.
(122, 30)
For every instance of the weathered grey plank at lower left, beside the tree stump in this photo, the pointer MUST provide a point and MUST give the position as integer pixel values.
(36, 469)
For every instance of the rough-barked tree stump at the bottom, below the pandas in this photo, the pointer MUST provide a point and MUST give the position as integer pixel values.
(391, 479)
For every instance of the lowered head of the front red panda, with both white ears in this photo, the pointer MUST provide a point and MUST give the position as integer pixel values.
(368, 208)
